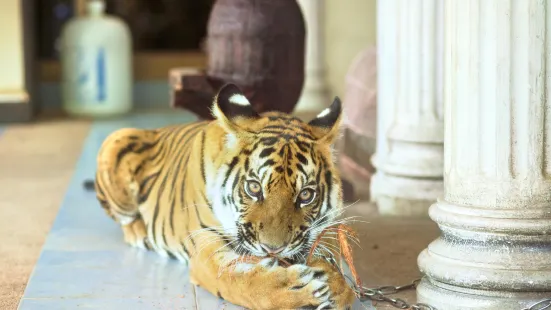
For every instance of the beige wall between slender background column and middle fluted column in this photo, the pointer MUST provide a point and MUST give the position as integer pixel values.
(350, 26)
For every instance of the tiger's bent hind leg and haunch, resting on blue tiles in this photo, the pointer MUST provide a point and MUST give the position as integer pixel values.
(122, 161)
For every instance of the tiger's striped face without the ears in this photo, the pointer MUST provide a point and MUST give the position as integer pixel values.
(285, 189)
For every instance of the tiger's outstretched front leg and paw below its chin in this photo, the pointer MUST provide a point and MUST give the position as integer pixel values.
(268, 286)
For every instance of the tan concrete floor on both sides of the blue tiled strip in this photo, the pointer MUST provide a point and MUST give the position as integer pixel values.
(42, 158)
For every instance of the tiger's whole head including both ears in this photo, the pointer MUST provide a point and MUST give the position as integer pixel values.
(277, 187)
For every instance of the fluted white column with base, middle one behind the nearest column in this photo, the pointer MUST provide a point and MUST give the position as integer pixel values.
(409, 157)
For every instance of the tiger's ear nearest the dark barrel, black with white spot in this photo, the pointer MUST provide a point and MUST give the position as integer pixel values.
(230, 106)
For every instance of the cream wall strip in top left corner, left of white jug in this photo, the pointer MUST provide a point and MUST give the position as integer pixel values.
(12, 78)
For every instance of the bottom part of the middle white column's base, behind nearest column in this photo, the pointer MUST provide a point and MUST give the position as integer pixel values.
(402, 196)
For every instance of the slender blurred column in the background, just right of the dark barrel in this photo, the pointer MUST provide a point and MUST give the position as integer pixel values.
(315, 95)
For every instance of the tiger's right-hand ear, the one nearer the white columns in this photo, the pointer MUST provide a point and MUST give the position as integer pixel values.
(326, 125)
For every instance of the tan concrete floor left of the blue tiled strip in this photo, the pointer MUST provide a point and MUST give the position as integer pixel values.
(36, 164)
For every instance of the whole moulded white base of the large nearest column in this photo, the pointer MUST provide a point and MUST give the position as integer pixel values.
(486, 258)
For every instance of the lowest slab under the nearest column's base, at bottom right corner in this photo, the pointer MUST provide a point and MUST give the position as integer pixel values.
(447, 297)
